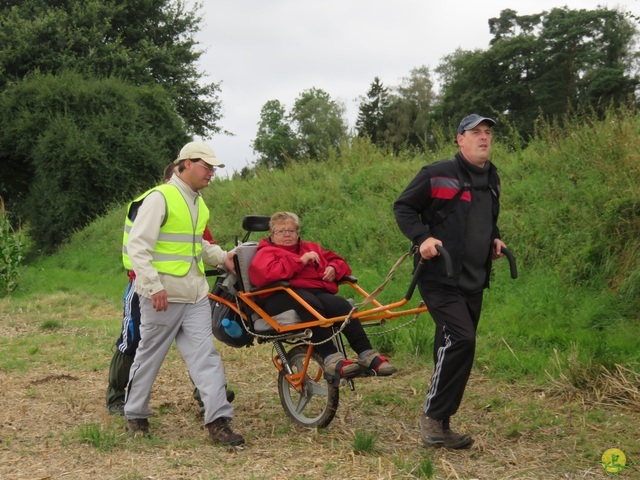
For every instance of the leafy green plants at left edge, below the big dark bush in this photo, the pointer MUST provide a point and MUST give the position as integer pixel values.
(11, 254)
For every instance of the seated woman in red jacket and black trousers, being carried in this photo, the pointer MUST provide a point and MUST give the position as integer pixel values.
(312, 273)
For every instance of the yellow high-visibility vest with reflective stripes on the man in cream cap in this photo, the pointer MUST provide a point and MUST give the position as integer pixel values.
(179, 243)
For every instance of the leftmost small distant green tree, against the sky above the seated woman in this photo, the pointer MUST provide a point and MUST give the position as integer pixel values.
(275, 140)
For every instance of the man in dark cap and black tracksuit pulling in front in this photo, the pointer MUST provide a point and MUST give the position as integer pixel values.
(453, 203)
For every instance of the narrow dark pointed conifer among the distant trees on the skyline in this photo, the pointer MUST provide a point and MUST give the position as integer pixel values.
(371, 120)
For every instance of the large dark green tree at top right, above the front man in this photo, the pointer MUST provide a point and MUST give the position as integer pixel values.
(545, 64)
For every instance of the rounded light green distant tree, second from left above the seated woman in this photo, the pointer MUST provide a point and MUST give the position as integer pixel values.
(318, 122)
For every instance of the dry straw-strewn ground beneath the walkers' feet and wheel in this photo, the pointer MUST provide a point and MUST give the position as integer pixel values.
(521, 432)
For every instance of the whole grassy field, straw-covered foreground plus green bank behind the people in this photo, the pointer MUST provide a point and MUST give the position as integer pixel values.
(556, 381)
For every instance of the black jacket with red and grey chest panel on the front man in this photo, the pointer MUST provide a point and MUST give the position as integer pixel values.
(422, 211)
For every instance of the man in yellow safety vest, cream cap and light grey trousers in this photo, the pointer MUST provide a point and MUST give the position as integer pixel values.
(163, 243)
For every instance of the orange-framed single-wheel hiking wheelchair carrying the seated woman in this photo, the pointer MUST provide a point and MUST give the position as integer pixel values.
(308, 395)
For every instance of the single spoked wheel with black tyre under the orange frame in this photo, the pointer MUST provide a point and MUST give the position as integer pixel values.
(317, 404)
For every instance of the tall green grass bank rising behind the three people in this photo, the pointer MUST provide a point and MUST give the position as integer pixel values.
(570, 213)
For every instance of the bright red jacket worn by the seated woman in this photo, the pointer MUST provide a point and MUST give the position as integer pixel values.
(273, 263)
